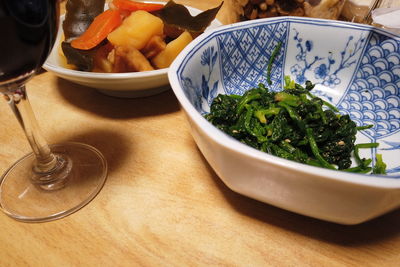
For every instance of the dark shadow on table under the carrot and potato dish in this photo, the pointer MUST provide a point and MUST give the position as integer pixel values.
(91, 100)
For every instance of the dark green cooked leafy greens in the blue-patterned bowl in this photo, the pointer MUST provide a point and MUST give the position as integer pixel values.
(295, 125)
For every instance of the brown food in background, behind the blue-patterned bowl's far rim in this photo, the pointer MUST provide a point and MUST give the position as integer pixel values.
(239, 10)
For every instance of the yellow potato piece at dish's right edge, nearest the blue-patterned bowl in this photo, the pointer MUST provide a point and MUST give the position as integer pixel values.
(171, 51)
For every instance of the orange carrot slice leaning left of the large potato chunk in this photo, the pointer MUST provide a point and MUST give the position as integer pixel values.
(101, 26)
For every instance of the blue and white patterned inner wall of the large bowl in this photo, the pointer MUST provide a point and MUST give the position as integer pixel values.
(358, 72)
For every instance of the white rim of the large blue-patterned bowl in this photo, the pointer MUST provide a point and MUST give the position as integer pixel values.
(232, 144)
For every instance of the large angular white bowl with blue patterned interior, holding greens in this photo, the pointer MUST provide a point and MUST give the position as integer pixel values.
(356, 67)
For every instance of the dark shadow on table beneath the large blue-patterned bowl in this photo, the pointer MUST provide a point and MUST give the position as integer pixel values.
(383, 227)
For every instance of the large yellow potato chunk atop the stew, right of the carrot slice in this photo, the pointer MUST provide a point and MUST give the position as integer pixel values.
(136, 30)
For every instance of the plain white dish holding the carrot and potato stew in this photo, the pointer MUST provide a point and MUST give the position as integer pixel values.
(131, 84)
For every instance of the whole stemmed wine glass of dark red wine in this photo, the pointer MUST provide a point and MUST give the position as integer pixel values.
(54, 180)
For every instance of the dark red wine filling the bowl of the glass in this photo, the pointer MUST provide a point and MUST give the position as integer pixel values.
(28, 30)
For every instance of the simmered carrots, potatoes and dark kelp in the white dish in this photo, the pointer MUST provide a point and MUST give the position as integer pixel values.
(130, 36)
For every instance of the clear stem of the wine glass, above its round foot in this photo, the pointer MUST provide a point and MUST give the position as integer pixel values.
(46, 167)
